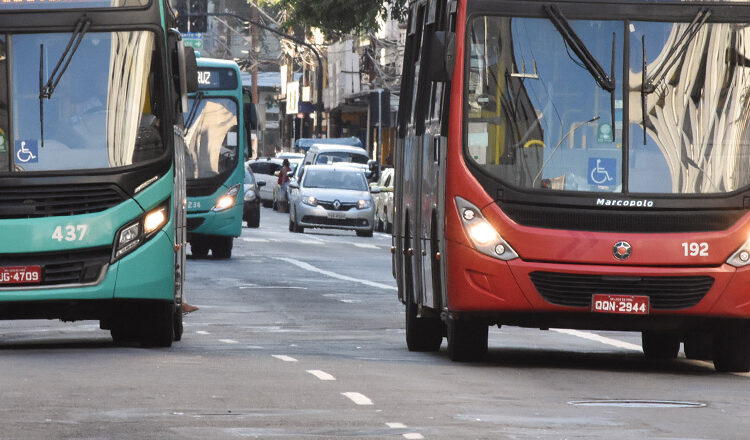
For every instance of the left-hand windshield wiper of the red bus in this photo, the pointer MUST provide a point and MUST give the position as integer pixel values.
(606, 82)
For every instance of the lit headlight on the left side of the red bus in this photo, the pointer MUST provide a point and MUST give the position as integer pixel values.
(481, 233)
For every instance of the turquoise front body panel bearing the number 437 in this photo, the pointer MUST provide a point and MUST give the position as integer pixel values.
(147, 272)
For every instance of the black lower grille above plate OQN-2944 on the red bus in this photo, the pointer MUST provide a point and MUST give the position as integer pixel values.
(665, 293)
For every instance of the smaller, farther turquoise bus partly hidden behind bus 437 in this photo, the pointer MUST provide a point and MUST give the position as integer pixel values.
(217, 138)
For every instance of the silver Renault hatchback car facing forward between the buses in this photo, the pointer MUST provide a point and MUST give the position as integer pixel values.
(334, 197)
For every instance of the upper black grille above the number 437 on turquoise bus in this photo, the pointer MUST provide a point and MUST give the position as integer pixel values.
(59, 200)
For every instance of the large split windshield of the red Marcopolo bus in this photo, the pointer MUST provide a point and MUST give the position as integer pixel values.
(537, 119)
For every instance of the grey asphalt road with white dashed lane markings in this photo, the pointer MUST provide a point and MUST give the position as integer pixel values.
(300, 336)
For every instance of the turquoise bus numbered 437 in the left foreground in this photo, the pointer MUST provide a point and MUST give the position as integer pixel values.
(92, 216)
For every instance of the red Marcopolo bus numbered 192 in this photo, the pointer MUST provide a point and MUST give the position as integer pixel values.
(576, 164)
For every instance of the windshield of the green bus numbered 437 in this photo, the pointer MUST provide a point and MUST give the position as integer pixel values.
(101, 114)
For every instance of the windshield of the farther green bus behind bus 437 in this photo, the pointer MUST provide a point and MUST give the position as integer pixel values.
(213, 138)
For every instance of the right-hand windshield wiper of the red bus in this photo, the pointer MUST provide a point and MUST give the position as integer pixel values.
(678, 48)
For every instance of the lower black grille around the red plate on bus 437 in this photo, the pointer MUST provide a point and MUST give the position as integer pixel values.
(62, 268)
